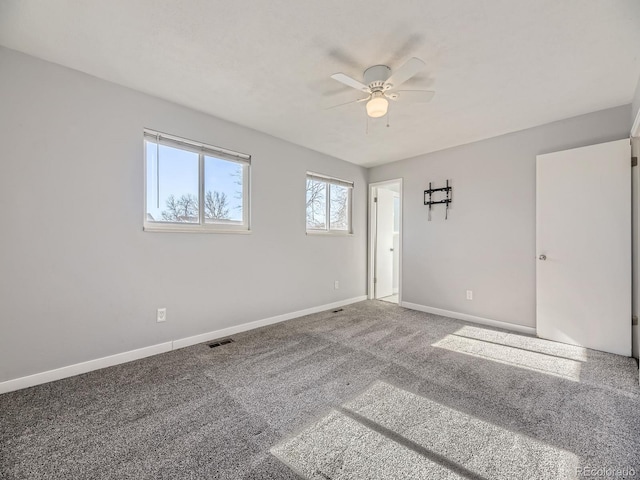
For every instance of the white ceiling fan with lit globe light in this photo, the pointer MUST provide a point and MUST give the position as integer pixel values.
(380, 85)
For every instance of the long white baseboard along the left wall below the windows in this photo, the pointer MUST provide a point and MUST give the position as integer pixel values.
(124, 357)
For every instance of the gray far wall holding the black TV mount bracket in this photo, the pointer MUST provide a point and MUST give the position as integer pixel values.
(488, 243)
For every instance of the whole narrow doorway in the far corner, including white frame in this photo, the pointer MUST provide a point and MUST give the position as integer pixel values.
(385, 241)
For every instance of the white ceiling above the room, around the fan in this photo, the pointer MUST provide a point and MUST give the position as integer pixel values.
(497, 65)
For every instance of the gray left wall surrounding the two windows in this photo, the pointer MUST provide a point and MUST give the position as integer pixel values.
(80, 280)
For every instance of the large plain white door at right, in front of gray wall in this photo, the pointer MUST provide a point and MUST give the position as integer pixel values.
(584, 246)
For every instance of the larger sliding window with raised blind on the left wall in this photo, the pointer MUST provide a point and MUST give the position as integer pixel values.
(194, 187)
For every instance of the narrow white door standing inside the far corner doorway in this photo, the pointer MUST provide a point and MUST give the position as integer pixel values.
(384, 244)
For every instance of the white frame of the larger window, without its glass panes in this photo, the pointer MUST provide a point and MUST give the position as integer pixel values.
(202, 150)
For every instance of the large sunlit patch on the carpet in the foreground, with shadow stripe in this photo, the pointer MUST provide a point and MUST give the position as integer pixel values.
(388, 432)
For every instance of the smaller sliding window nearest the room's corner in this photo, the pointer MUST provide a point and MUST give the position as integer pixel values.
(328, 204)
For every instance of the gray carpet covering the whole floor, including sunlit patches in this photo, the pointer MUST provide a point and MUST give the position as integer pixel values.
(373, 391)
